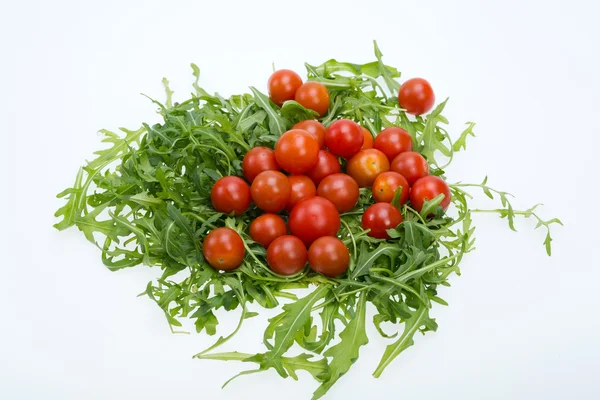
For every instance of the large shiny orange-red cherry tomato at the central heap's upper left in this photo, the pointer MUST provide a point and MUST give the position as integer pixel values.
(297, 151)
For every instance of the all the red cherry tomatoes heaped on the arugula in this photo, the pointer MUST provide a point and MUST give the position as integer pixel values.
(315, 190)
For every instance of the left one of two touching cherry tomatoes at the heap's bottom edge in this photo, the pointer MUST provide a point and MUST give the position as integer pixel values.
(286, 255)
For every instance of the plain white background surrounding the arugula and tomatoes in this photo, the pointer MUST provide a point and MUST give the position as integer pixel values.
(520, 325)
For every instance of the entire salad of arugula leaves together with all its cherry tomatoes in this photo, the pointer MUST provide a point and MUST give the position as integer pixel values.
(334, 184)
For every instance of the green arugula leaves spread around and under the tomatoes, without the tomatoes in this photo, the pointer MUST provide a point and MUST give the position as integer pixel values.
(145, 200)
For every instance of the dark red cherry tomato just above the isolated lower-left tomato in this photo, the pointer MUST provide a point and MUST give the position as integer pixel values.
(230, 194)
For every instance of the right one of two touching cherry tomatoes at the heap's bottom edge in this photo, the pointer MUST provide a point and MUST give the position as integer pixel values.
(328, 256)
